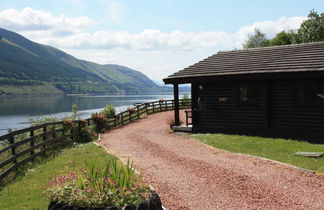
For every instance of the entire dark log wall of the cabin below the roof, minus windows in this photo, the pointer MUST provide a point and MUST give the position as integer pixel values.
(275, 114)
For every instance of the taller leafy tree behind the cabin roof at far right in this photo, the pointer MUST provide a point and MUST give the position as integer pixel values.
(312, 29)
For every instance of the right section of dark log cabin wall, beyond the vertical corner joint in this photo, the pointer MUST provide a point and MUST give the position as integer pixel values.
(294, 120)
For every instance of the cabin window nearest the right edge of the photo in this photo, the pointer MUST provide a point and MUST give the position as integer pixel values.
(306, 92)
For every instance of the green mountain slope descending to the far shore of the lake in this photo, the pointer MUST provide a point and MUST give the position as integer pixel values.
(27, 67)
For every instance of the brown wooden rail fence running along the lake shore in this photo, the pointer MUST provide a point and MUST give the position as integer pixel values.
(21, 146)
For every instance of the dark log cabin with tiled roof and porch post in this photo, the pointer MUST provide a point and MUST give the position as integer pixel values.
(272, 91)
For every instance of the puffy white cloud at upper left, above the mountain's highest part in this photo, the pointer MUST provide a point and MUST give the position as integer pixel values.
(29, 19)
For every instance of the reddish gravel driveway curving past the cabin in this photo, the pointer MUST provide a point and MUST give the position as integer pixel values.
(190, 175)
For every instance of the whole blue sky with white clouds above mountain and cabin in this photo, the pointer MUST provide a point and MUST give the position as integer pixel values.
(155, 37)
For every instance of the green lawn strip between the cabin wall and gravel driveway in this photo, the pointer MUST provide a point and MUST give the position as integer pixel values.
(276, 149)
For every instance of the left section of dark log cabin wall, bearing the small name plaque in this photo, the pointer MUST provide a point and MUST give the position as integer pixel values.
(221, 111)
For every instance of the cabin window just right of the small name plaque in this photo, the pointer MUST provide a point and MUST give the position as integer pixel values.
(248, 93)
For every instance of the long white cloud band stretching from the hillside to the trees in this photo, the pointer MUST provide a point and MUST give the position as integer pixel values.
(156, 40)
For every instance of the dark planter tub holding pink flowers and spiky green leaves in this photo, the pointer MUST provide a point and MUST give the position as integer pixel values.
(153, 203)
